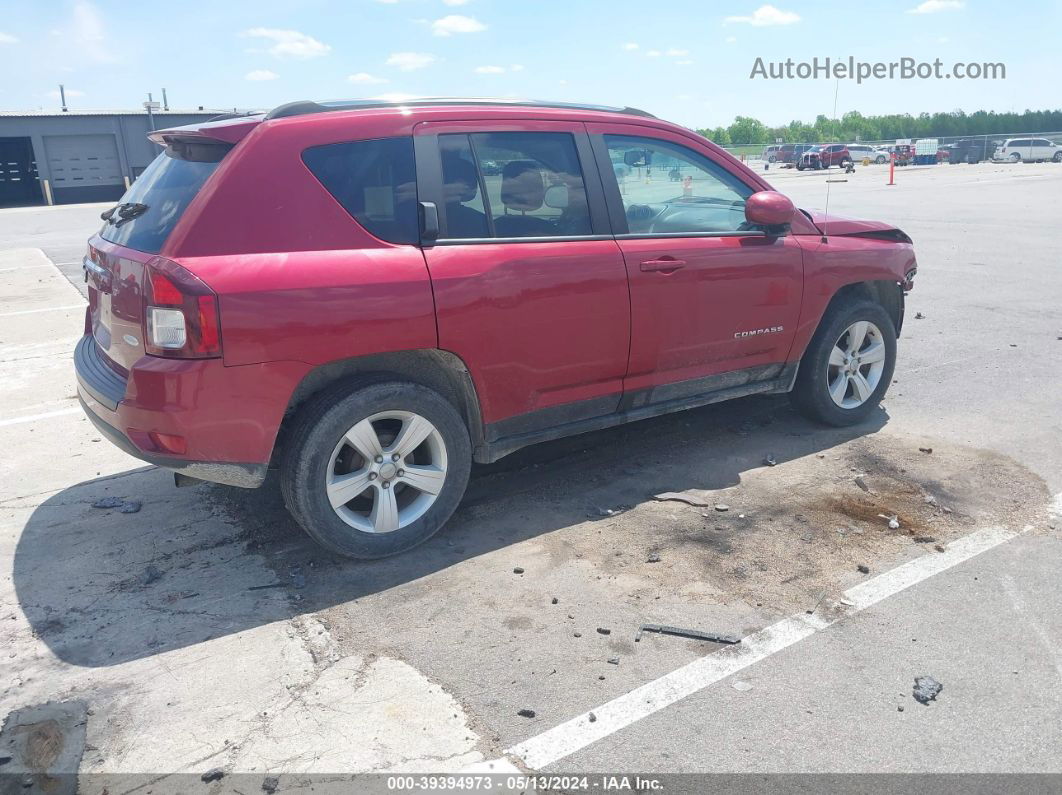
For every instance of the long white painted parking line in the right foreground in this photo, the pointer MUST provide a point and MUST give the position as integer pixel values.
(621, 713)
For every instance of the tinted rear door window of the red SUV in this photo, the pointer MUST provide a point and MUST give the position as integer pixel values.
(512, 185)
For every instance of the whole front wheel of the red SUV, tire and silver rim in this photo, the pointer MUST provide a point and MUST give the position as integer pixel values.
(848, 366)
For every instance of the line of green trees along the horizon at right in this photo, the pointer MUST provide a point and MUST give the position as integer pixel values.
(855, 127)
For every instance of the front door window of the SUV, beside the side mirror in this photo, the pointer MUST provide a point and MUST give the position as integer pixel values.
(669, 188)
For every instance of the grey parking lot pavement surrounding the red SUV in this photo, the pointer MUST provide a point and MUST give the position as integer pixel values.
(205, 631)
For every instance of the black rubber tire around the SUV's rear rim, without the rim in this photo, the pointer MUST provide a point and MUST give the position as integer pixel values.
(317, 431)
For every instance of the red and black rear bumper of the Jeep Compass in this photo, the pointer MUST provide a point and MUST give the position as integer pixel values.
(228, 418)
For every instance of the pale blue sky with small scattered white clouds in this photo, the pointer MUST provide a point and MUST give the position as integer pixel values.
(688, 61)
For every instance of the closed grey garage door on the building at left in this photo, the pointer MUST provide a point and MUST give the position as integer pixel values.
(84, 168)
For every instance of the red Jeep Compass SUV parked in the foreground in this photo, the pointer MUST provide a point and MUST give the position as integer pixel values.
(370, 297)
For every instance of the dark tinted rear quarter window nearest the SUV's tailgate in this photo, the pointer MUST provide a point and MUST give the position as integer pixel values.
(375, 182)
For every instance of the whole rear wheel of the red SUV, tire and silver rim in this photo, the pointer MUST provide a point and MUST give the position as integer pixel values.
(374, 469)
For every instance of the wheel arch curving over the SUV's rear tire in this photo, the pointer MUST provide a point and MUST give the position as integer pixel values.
(440, 371)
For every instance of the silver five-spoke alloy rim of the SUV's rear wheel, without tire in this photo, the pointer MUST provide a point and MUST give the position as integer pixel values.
(387, 472)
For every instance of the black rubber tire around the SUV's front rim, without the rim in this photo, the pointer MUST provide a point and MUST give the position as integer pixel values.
(811, 394)
